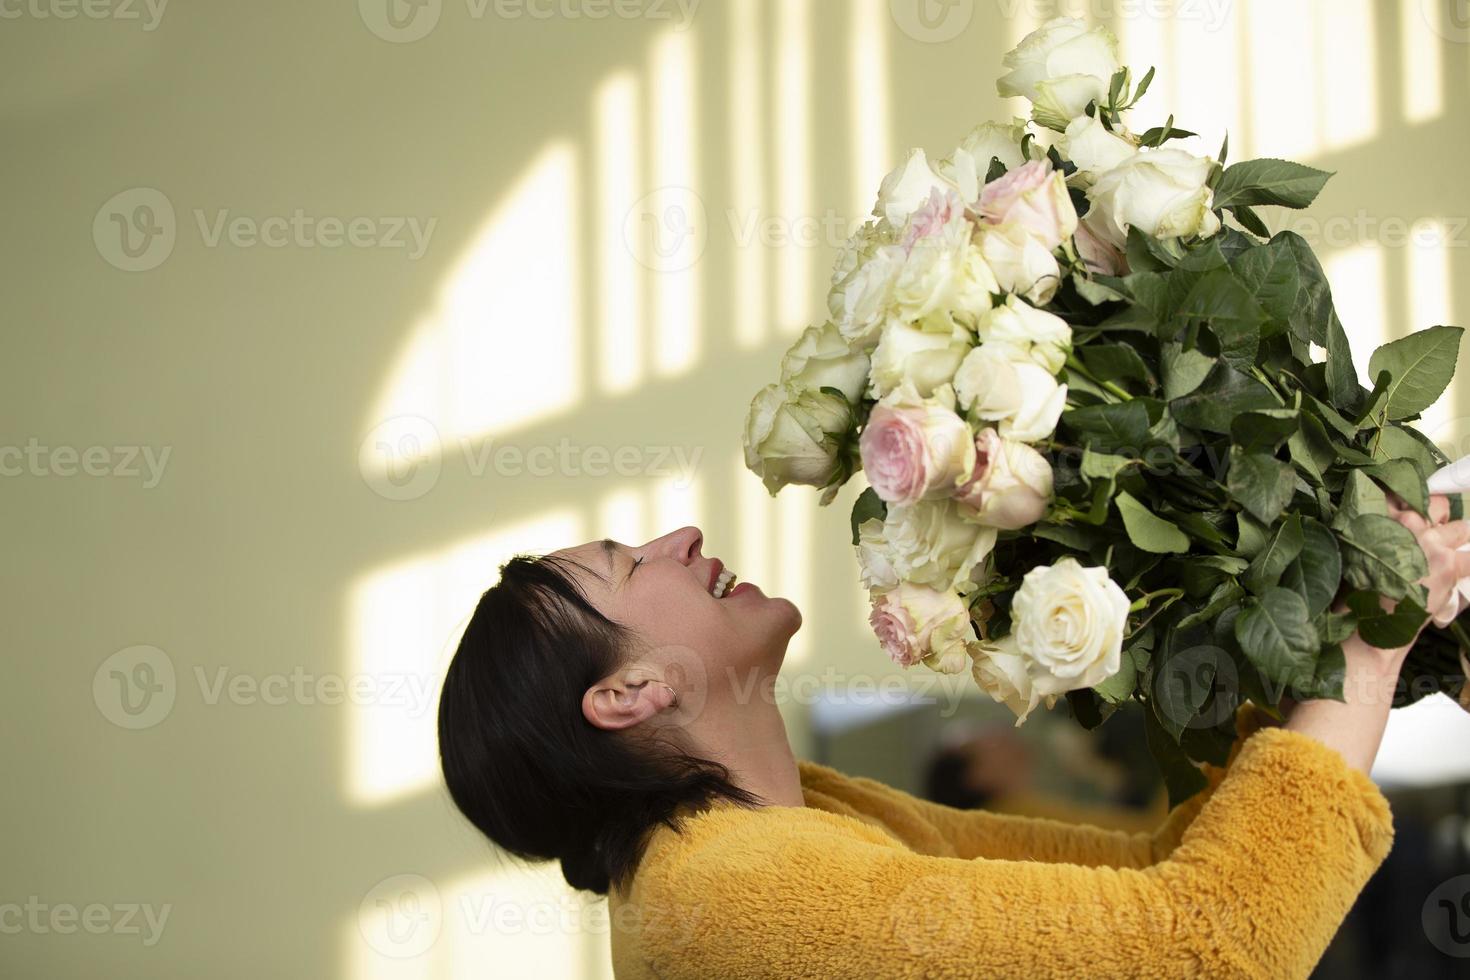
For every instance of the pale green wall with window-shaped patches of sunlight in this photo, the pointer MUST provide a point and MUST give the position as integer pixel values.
(265, 370)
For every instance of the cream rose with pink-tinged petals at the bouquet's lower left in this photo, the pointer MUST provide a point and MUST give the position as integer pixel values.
(921, 625)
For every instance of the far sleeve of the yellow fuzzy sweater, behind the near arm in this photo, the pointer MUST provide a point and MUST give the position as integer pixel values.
(980, 834)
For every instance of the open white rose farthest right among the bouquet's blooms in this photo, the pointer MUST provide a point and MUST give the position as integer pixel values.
(1159, 192)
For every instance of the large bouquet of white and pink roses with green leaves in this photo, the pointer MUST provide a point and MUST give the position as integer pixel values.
(1115, 443)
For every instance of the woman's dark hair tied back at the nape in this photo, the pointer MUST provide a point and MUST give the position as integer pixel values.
(526, 766)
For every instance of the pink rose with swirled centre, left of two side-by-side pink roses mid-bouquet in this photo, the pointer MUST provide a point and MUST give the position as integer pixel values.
(915, 449)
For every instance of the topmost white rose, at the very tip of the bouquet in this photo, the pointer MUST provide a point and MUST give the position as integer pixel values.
(1061, 68)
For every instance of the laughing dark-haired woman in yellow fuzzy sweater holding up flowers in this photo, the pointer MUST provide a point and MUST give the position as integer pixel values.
(611, 707)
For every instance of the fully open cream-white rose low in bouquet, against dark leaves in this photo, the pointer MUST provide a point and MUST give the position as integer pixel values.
(1069, 625)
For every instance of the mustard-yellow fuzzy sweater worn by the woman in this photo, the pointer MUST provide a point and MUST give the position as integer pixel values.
(1247, 879)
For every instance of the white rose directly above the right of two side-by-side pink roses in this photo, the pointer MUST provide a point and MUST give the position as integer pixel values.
(1000, 383)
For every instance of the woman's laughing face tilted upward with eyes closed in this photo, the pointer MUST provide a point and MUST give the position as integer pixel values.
(664, 591)
